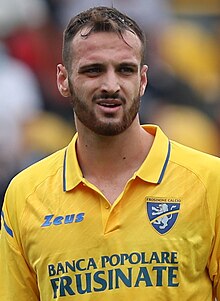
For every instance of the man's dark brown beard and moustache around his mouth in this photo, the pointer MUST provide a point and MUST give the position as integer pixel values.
(89, 119)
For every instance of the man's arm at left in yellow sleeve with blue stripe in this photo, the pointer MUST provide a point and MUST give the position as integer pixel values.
(17, 279)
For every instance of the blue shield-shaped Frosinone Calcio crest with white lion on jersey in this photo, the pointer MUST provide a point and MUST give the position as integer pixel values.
(162, 212)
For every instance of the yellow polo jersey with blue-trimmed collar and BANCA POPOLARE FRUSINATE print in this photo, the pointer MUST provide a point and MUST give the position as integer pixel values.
(160, 240)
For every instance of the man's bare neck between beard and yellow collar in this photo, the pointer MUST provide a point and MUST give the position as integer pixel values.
(120, 154)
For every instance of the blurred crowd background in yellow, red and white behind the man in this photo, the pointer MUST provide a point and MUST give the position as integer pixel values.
(183, 93)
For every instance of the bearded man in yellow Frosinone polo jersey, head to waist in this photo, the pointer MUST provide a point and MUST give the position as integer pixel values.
(122, 212)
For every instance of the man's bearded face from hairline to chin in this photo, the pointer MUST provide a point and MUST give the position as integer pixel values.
(106, 81)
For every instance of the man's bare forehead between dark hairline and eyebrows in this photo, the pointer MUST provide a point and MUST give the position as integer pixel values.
(106, 46)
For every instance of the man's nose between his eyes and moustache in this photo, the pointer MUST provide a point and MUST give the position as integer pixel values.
(110, 82)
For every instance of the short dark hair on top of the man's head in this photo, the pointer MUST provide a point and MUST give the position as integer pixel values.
(99, 19)
